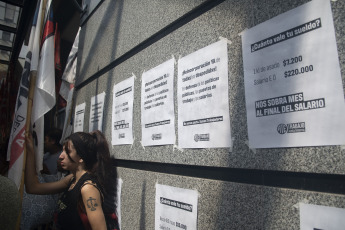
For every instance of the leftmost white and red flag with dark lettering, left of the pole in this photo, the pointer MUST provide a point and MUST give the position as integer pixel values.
(15, 153)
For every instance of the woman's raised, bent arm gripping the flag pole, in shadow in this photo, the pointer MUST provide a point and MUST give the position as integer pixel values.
(32, 185)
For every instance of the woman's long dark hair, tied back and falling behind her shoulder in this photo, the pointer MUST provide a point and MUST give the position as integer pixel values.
(93, 148)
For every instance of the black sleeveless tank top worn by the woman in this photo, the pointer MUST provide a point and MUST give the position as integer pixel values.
(69, 210)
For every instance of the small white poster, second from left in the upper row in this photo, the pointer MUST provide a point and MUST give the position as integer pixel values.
(96, 112)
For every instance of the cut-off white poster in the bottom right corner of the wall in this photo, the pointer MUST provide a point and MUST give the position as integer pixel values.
(317, 217)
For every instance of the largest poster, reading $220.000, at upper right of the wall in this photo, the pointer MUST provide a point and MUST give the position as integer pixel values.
(293, 86)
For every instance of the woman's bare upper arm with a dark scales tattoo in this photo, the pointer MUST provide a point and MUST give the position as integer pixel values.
(93, 206)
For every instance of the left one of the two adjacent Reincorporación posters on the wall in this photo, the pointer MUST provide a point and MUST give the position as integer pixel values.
(157, 105)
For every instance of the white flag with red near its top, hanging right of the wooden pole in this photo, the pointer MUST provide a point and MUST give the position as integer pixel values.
(44, 95)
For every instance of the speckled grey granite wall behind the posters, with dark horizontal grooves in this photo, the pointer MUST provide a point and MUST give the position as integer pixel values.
(240, 188)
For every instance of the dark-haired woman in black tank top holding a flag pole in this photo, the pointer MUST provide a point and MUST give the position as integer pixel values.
(89, 192)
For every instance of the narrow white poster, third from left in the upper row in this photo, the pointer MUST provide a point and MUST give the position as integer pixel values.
(122, 113)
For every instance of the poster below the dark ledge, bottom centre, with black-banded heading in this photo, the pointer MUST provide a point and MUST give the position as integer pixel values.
(175, 208)
